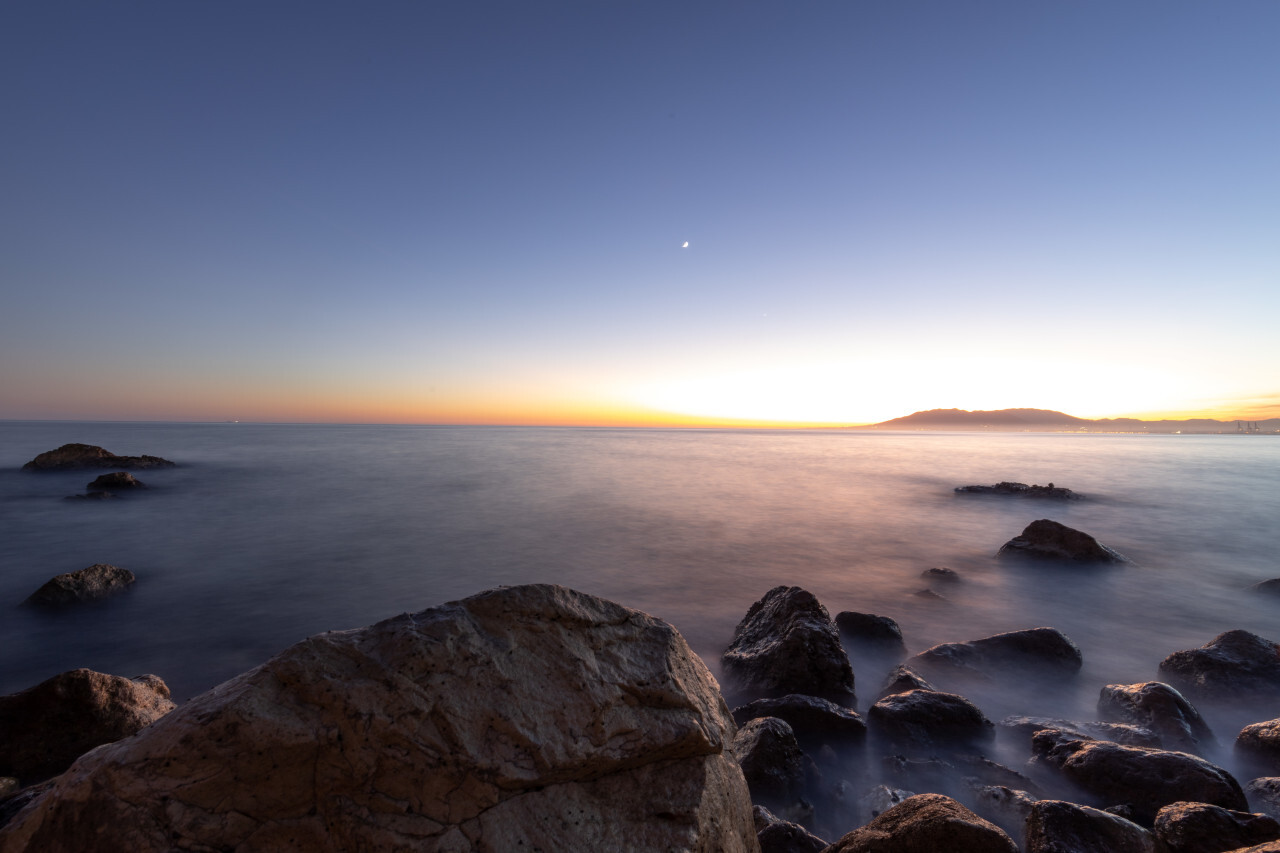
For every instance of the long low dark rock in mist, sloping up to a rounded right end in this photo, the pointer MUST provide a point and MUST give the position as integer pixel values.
(1036, 650)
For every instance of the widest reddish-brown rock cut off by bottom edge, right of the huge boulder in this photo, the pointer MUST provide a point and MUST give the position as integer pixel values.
(926, 824)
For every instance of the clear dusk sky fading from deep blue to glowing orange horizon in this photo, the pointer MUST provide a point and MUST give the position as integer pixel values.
(447, 212)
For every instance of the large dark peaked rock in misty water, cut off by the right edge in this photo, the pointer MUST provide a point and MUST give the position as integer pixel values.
(1231, 667)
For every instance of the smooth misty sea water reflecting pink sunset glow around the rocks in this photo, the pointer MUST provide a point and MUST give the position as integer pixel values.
(269, 533)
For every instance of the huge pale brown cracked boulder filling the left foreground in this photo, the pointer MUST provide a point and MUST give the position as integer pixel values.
(524, 718)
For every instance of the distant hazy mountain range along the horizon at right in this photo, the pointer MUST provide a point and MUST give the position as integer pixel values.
(1044, 421)
